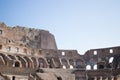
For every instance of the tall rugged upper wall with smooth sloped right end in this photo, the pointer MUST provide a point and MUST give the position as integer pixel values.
(33, 38)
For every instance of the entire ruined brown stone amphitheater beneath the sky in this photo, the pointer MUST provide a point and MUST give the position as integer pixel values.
(32, 54)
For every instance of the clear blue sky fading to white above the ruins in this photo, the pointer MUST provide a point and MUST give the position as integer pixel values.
(76, 24)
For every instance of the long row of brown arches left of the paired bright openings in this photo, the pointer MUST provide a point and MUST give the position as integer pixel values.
(41, 62)
